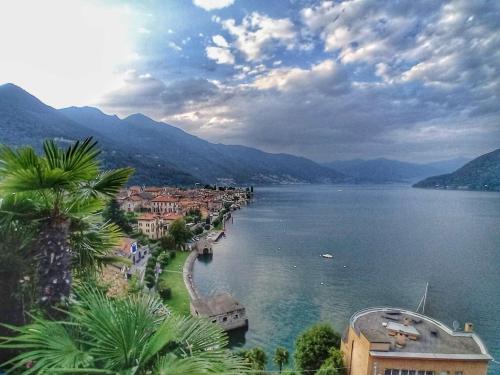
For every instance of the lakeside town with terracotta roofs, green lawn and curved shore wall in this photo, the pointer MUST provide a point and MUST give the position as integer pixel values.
(165, 223)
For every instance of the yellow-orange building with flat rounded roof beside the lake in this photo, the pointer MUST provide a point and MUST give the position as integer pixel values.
(388, 341)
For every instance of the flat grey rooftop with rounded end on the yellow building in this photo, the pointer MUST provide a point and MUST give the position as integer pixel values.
(433, 339)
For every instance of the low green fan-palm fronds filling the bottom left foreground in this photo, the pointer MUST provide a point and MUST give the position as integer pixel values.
(134, 335)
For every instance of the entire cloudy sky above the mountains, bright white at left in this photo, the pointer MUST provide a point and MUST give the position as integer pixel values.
(328, 80)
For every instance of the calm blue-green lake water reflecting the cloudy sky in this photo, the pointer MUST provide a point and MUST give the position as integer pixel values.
(392, 240)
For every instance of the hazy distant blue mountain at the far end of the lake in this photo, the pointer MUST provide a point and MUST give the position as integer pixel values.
(382, 171)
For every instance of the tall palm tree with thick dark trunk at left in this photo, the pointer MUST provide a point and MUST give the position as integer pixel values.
(62, 190)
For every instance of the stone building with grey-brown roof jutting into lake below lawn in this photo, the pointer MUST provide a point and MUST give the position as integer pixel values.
(222, 309)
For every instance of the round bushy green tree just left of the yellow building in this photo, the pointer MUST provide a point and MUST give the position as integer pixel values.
(313, 346)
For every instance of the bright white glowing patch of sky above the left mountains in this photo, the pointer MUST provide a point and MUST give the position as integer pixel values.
(65, 53)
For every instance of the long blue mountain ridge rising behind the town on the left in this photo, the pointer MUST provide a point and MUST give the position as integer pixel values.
(161, 153)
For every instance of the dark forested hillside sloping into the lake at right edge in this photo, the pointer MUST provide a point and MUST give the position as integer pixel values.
(482, 173)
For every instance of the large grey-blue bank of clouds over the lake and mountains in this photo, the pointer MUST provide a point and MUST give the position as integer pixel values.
(404, 79)
